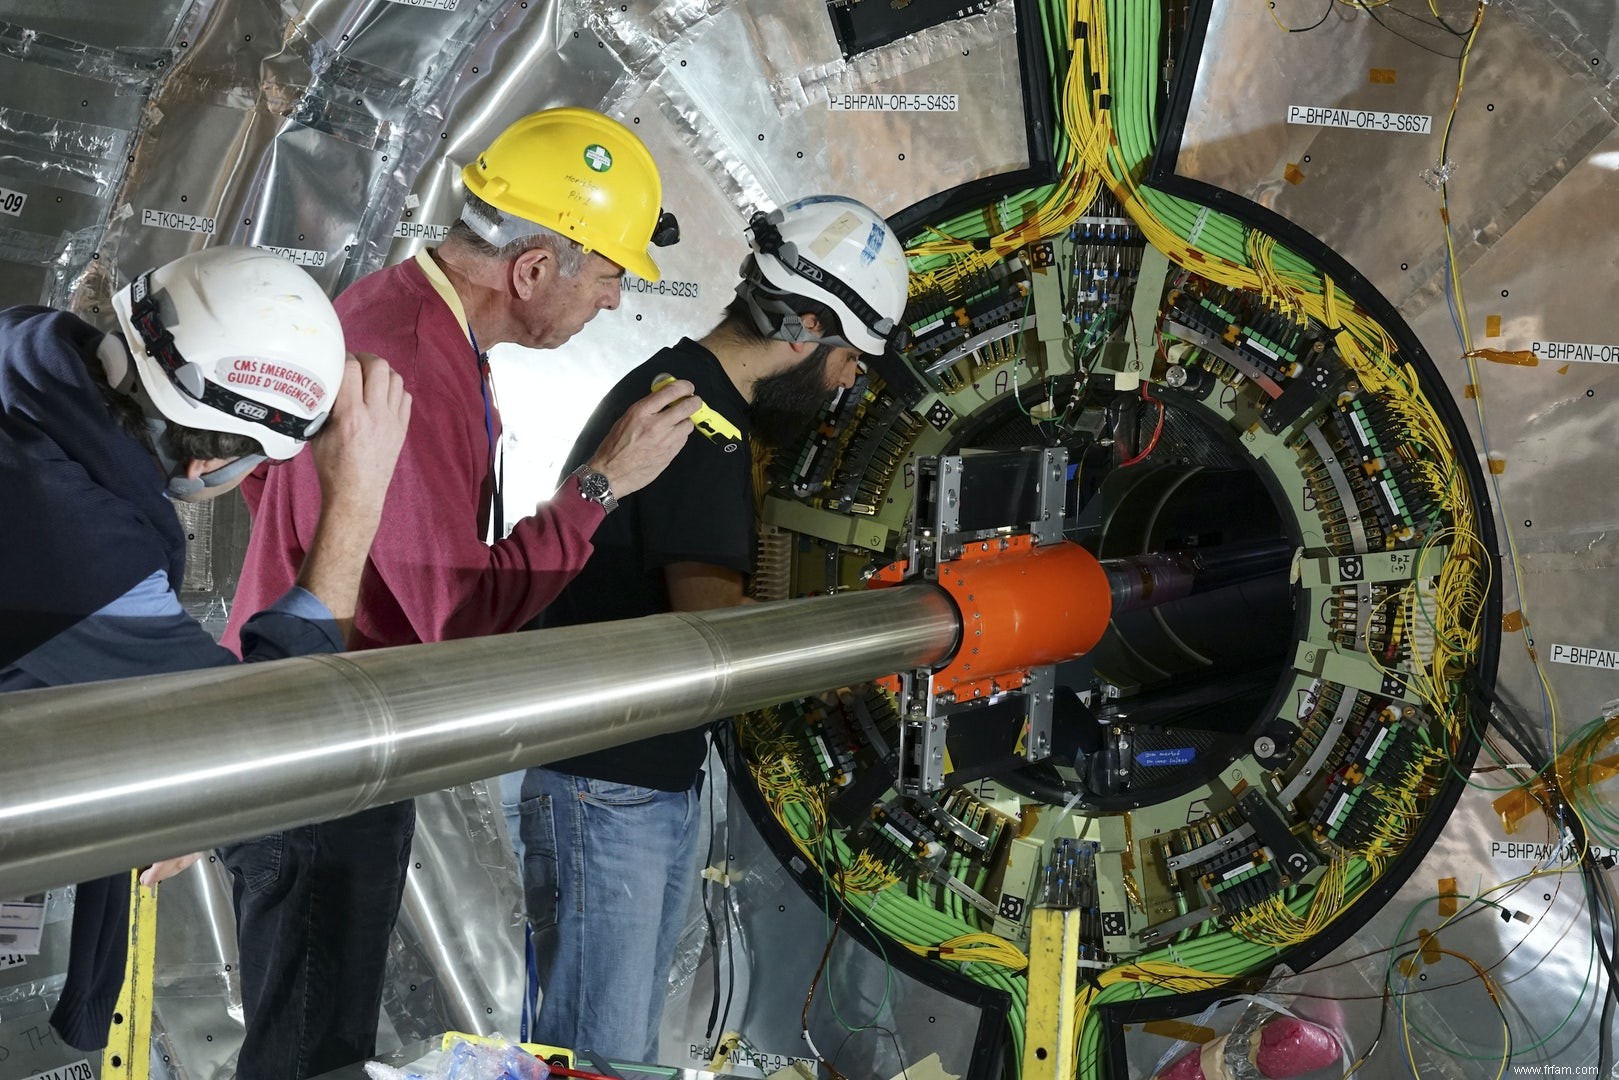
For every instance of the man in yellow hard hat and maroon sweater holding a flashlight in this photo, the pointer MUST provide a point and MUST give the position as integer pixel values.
(558, 208)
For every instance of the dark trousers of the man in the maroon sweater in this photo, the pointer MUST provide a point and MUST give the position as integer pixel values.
(315, 914)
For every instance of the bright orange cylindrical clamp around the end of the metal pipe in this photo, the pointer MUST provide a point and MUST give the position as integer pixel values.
(1022, 606)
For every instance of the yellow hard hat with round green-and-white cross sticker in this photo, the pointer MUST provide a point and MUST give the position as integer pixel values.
(584, 176)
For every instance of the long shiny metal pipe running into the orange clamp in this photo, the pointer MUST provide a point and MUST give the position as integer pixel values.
(106, 776)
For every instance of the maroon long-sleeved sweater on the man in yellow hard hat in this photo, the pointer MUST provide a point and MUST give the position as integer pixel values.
(431, 576)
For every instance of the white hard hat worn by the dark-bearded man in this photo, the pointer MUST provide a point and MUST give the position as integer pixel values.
(836, 252)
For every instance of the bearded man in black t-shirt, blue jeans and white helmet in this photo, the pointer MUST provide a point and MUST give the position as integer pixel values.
(610, 840)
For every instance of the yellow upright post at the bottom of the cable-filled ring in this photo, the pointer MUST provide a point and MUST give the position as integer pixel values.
(1052, 1039)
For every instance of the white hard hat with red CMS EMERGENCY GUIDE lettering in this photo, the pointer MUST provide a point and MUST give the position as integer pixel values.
(239, 341)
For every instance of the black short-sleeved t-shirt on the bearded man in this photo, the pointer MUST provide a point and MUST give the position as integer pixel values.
(700, 509)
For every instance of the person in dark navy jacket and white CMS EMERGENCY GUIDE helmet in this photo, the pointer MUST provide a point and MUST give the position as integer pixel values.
(224, 359)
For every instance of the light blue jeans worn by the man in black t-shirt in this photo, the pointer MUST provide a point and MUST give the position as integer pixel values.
(610, 874)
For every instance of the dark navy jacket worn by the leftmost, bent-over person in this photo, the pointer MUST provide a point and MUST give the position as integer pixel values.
(85, 524)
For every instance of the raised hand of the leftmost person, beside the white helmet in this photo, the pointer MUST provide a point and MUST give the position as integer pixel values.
(360, 444)
